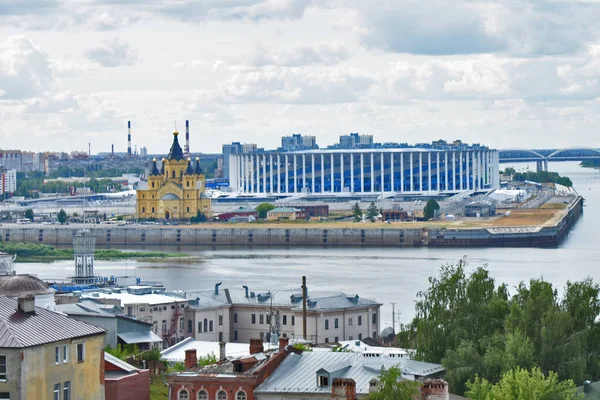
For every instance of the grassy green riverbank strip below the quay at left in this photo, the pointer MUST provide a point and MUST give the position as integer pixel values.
(27, 252)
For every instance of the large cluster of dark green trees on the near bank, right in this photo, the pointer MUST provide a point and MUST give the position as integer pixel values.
(476, 328)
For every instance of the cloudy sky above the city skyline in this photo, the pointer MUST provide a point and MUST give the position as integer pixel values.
(507, 74)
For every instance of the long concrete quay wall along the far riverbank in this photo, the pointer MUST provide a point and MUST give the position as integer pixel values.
(289, 235)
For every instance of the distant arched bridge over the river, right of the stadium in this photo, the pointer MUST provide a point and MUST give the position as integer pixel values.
(542, 157)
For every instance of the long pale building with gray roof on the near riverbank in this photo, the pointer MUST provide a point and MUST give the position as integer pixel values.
(233, 315)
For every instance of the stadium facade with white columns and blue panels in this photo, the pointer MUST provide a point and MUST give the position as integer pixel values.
(409, 170)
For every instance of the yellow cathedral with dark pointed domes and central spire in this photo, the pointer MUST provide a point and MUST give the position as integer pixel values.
(176, 192)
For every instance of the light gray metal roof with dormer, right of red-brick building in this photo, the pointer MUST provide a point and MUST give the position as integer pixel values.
(298, 372)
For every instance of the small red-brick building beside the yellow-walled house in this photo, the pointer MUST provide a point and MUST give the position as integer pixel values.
(123, 381)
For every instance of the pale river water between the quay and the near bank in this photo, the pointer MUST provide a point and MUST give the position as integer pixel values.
(385, 274)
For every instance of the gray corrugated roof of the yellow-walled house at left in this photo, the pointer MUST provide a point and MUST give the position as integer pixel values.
(18, 330)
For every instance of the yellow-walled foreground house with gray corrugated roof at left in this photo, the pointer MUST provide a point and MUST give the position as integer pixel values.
(45, 355)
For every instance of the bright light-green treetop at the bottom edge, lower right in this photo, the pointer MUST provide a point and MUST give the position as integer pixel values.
(521, 384)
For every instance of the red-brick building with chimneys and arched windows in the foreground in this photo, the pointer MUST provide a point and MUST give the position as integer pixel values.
(227, 380)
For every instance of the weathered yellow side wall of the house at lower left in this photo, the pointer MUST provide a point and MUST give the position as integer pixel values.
(39, 372)
